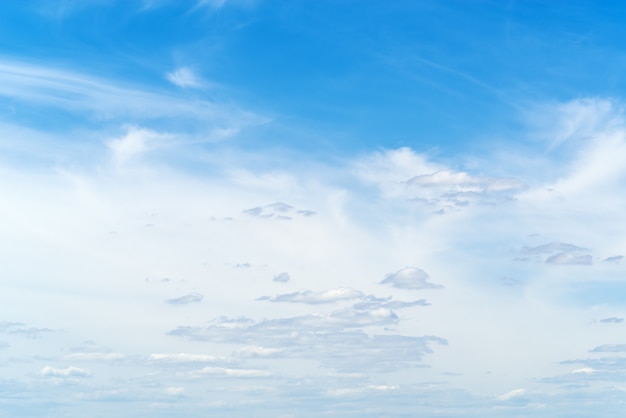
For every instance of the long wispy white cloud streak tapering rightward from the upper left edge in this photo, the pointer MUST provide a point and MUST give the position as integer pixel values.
(89, 98)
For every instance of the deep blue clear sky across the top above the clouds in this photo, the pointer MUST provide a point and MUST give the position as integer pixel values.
(365, 74)
